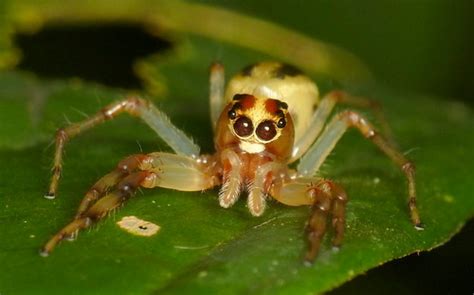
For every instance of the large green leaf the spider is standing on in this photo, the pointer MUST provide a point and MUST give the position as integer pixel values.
(201, 247)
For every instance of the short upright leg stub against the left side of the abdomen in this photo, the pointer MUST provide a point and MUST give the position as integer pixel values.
(216, 91)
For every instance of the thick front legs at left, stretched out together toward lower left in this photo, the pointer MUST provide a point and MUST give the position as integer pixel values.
(152, 170)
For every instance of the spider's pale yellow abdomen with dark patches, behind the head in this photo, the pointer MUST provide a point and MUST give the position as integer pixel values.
(278, 81)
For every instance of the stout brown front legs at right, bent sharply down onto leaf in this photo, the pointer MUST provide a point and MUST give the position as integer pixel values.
(326, 198)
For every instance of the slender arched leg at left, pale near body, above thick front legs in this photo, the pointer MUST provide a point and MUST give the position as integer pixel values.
(152, 116)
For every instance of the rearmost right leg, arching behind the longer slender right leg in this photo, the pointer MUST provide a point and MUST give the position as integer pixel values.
(322, 113)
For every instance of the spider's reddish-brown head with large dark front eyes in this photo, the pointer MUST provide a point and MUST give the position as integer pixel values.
(256, 125)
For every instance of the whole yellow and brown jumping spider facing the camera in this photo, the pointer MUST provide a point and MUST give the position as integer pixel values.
(269, 116)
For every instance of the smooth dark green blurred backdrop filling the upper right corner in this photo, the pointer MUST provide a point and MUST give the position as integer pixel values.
(425, 45)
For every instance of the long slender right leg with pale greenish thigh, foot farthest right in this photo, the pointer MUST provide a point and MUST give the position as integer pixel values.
(318, 153)
